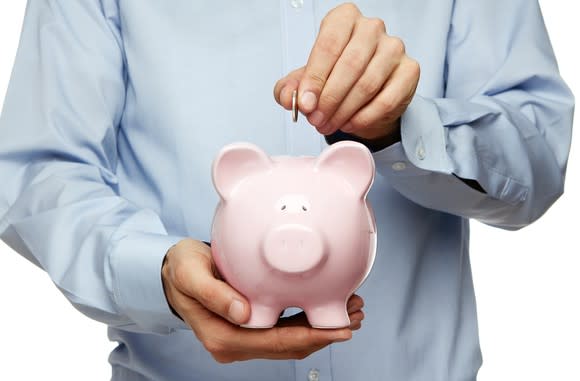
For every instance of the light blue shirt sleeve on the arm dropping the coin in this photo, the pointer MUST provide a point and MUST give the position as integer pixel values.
(505, 121)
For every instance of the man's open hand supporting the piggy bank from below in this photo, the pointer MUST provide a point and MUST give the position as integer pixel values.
(213, 310)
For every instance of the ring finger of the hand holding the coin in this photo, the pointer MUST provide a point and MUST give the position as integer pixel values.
(387, 58)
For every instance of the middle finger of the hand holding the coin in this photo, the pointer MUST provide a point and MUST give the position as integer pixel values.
(348, 69)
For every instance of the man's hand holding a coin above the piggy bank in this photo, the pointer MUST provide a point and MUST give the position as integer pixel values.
(358, 79)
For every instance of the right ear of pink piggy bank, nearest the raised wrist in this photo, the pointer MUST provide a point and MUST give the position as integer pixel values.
(351, 160)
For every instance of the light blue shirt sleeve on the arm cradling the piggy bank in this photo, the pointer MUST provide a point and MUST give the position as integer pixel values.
(59, 201)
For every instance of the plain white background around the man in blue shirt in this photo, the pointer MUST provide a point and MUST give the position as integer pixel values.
(527, 282)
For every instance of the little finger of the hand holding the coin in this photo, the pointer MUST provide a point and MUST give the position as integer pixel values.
(391, 102)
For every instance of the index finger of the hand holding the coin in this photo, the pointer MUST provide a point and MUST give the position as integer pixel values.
(335, 31)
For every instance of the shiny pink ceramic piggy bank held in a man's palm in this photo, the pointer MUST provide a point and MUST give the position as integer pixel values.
(294, 231)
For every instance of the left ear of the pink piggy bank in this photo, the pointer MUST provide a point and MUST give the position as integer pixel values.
(234, 163)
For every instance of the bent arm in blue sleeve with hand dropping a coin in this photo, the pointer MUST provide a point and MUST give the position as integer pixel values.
(493, 148)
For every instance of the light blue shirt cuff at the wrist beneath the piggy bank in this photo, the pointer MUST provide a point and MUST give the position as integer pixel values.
(138, 289)
